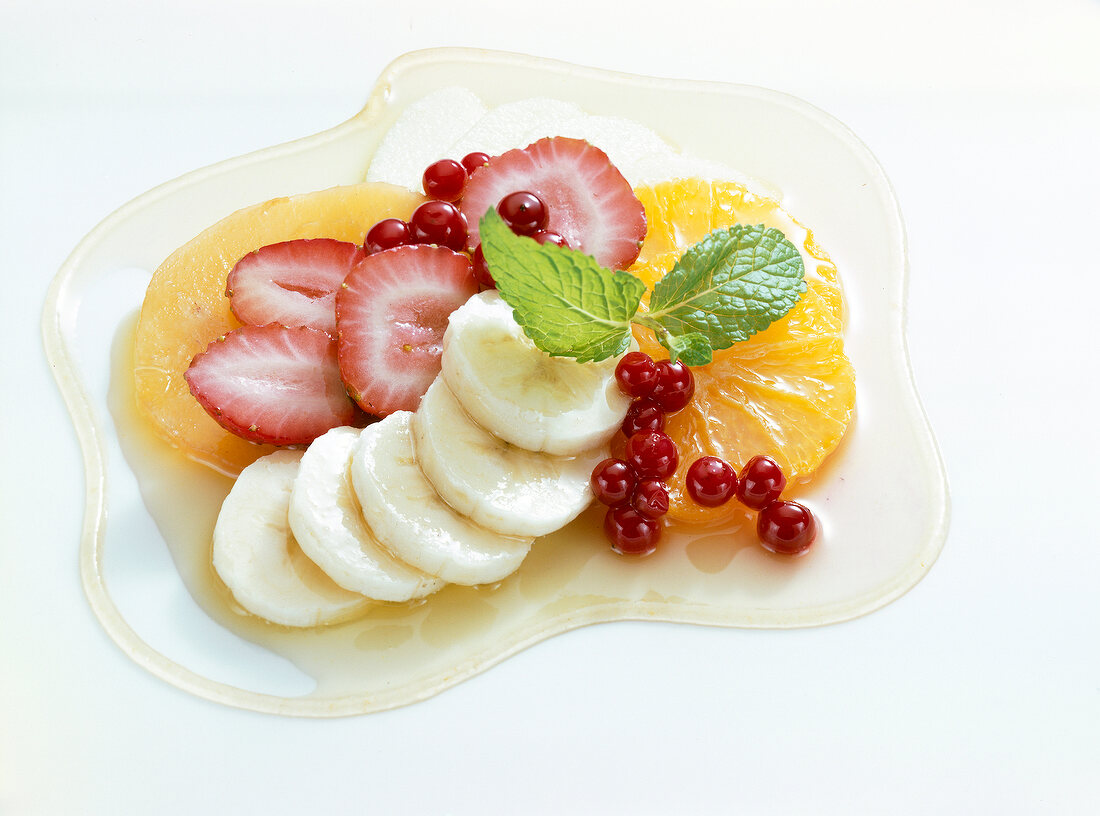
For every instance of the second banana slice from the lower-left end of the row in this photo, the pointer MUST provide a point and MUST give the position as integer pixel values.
(329, 526)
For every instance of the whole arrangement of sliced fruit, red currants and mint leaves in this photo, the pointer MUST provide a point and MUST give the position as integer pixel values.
(522, 312)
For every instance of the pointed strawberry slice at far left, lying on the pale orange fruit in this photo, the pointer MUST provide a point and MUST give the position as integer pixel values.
(273, 384)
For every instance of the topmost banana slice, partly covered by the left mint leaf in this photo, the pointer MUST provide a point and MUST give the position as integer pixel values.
(522, 394)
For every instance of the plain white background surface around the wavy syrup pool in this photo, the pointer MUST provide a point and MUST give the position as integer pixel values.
(978, 692)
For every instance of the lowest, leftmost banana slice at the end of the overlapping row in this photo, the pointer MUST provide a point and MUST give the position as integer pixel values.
(257, 556)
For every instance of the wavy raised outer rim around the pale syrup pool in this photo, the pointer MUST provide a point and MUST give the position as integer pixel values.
(342, 149)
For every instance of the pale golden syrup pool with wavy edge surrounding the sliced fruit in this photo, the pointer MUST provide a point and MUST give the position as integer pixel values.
(145, 555)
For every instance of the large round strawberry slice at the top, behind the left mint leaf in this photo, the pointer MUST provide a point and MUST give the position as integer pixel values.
(591, 204)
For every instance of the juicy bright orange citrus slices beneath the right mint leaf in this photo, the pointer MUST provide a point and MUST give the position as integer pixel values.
(788, 392)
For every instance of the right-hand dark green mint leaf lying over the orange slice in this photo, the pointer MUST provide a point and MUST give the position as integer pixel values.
(728, 288)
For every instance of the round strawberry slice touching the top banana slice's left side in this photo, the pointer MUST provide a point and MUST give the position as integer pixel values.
(391, 316)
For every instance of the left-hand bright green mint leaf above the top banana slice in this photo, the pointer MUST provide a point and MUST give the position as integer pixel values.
(566, 302)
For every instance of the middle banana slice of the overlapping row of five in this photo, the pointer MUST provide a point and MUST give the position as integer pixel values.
(411, 520)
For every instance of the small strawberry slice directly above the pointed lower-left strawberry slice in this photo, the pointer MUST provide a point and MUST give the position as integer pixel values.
(293, 283)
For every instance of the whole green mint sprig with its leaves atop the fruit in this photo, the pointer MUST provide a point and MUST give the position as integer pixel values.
(731, 285)
